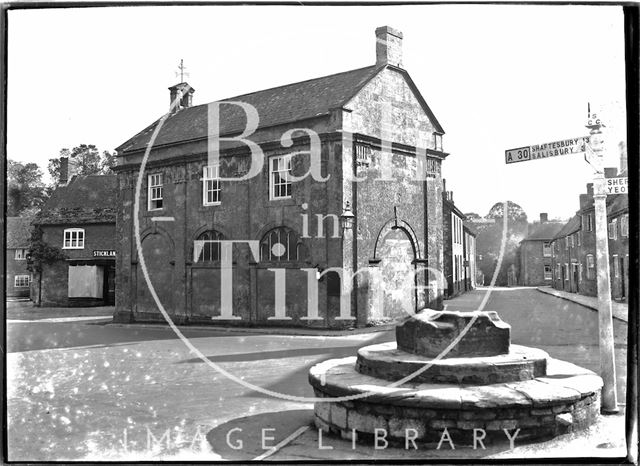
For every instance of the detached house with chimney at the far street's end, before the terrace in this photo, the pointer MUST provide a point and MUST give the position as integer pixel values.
(536, 252)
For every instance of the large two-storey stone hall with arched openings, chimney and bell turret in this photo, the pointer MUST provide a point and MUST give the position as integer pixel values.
(308, 235)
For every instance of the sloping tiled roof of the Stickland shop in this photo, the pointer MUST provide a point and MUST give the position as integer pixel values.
(86, 199)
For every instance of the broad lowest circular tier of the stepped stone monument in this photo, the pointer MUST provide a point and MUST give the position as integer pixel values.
(566, 400)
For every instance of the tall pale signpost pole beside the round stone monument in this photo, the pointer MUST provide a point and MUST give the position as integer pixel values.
(609, 402)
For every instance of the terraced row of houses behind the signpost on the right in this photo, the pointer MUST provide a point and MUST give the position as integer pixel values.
(574, 248)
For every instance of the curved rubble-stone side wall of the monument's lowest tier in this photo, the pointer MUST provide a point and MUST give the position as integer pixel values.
(398, 423)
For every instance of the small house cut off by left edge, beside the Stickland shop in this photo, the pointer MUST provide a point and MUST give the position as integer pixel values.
(18, 278)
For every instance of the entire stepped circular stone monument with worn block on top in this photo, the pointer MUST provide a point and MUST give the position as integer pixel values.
(406, 388)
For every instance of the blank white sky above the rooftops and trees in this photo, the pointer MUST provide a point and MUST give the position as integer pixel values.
(496, 76)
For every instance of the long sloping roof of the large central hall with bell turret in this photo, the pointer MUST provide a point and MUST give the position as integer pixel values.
(275, 106)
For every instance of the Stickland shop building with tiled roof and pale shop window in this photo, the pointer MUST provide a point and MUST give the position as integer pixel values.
(80, 219)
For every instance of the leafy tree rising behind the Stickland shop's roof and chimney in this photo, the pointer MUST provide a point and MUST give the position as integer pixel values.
(84, 159)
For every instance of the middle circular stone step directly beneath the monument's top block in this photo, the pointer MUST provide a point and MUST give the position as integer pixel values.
(387, 362)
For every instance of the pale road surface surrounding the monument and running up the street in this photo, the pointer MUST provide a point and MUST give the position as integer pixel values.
(75, 388)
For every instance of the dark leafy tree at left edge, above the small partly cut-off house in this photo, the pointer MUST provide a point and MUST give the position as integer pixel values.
(25, 188)
